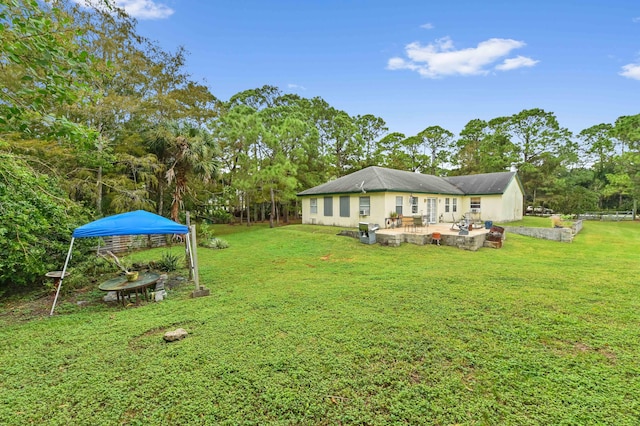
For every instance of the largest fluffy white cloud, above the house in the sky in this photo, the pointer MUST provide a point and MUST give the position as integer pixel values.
(441, 59)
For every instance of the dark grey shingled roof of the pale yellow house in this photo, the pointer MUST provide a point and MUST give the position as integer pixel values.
(380, 179)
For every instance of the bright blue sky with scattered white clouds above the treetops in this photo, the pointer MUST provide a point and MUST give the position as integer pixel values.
(415, 63)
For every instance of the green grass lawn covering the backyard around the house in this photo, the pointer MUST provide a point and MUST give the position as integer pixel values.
(306, 327)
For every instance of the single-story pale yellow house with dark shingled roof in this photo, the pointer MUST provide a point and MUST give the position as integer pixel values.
(372, 194)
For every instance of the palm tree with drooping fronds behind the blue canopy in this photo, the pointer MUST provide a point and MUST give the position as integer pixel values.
(185, 150)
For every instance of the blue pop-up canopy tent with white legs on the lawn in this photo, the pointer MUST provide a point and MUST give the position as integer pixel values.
(138, 222)
